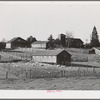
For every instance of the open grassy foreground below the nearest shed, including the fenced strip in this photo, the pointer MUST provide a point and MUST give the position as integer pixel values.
(36, 76)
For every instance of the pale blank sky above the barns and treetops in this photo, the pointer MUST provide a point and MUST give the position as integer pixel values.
(42, 18)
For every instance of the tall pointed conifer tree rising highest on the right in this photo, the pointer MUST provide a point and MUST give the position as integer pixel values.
(94, 38)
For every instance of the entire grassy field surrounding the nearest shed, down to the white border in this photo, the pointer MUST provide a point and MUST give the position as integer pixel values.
(17, 71)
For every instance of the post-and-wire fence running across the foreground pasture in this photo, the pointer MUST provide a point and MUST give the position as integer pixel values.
(30, 73)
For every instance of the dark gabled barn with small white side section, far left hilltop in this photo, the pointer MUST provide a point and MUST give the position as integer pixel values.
(17, 42)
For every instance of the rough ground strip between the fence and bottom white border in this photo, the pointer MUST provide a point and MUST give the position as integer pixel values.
(73, 83)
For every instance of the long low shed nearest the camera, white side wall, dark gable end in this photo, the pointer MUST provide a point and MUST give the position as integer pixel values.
(52, 56)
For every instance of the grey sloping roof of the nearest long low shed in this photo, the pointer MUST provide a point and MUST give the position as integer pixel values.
(48, 52)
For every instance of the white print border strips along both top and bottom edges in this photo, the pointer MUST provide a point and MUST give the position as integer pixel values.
(40, 94)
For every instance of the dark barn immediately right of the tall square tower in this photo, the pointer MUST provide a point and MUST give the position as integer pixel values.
(74, 42)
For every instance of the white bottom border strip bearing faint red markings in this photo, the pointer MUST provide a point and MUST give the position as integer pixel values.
(40, 94)
